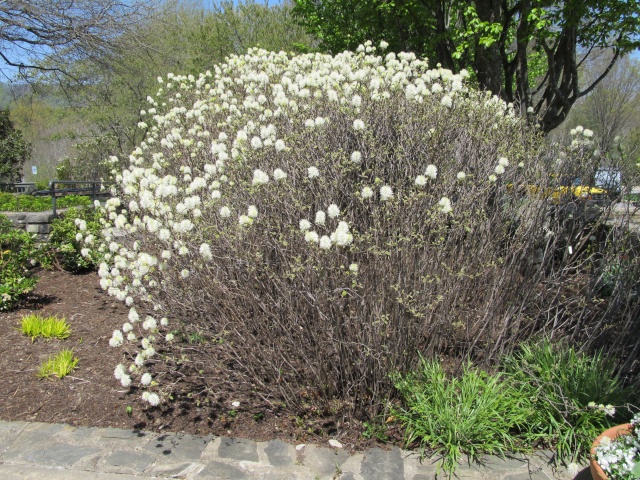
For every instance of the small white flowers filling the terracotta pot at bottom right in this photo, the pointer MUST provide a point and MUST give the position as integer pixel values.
(620, 458)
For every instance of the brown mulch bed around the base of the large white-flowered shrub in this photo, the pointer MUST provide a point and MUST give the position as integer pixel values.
(91, 396)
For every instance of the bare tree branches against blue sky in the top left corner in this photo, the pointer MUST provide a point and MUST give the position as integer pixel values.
(48, 35)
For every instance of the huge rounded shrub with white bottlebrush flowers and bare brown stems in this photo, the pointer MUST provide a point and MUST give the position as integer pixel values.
(320, 219)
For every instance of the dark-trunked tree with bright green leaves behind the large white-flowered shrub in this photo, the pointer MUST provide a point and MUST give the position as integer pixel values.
(526, 51)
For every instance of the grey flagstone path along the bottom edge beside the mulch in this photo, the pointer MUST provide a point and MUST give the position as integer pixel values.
(61, 452)
